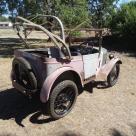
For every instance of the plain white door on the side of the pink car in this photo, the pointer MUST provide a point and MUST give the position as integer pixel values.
(91, 63)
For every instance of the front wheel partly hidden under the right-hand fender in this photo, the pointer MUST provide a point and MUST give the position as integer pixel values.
(113, 75)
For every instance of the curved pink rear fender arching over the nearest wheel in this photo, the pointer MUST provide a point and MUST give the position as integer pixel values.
(49, 81)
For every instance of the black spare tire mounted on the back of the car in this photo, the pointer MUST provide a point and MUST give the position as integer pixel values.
(23, 74)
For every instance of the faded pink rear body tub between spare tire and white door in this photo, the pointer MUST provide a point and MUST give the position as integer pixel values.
(46, 66)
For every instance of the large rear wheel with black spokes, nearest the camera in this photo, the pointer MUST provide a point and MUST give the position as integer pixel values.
(61, 94)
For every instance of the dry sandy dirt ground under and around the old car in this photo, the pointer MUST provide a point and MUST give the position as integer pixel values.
(98, 111)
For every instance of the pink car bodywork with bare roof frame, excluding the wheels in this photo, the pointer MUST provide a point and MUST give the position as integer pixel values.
(90, 66)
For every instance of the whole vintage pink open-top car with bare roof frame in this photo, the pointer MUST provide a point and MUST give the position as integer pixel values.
(60, 72)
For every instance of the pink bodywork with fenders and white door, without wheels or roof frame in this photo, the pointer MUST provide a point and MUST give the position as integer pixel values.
(49, 69)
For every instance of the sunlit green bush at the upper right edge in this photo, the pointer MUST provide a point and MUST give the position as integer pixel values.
(124, 20)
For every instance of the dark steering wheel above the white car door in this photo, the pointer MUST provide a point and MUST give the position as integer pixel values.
(86, 47)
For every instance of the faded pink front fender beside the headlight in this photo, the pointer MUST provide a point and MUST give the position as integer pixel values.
(104, 71)
